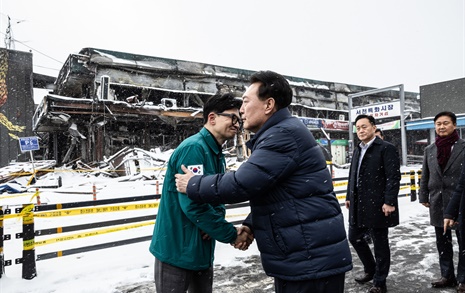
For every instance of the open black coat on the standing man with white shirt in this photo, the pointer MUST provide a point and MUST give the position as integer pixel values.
(378, 184)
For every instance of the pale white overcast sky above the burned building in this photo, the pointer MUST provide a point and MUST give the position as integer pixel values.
(361, 42)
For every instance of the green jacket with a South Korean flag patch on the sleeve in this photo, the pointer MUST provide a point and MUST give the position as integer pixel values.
(177, 238)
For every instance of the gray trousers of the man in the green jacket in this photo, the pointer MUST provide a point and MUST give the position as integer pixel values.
(171, 279)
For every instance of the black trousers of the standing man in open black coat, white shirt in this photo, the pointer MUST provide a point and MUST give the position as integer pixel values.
(379, 264)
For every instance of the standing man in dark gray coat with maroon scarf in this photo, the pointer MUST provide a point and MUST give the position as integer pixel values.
(440, 174)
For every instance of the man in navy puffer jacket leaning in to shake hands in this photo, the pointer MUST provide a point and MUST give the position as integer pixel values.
(295, 216)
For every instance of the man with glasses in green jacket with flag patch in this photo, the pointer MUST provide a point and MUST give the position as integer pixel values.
(183, 241)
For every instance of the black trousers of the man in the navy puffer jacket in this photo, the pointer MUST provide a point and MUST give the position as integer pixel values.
(331, 284)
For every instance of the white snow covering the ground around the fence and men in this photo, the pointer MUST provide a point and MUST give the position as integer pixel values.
(129, 268)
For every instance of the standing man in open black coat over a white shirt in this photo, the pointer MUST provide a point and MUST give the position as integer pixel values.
(374, 181)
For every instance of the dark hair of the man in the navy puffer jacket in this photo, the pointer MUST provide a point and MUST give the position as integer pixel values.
(275, 86)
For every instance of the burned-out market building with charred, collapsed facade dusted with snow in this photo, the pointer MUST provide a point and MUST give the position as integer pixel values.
(105, 100)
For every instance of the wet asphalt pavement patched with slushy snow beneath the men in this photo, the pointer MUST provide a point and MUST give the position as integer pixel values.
(414, 265)
